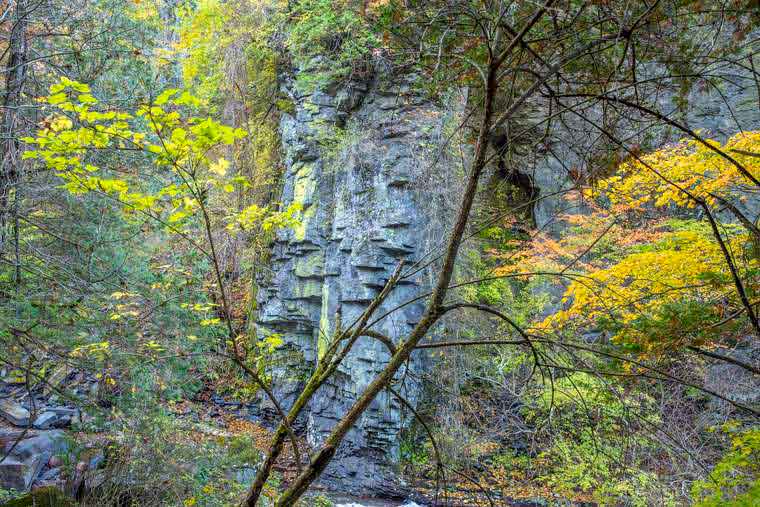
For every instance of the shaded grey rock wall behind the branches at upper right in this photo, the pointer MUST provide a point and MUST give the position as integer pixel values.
(720, 108)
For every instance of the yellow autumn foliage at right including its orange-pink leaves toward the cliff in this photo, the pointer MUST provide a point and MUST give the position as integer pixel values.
(661, 283)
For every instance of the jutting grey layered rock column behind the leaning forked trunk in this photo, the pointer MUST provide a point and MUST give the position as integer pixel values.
(365, 164)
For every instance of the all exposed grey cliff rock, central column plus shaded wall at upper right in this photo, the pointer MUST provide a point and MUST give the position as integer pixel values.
(369, 164)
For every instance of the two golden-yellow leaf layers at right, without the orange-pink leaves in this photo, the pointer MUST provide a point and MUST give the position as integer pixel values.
(651, 295)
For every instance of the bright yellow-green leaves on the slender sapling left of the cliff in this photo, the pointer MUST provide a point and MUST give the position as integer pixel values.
(179, 146)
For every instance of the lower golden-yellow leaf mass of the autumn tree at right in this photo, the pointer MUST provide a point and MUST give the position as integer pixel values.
(682, 266)
